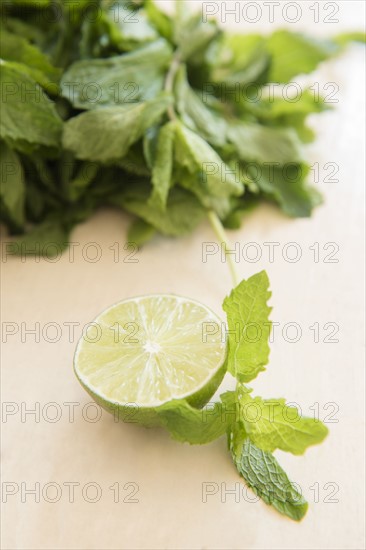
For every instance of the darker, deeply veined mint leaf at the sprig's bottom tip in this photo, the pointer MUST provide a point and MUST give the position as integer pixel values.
(268, 480)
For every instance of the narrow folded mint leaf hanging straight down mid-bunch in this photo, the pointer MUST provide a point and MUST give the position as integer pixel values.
(162, 168)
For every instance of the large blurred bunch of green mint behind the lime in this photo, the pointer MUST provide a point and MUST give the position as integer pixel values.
(118, 103)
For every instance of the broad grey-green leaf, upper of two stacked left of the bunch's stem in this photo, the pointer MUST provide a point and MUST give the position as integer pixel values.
(118, 80)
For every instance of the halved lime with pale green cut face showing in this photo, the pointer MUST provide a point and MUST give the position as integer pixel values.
(147, 351)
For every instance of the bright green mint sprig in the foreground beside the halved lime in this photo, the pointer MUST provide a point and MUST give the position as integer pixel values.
(255, 427)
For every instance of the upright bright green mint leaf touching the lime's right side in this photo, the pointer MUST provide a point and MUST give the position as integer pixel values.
(248, 322)
